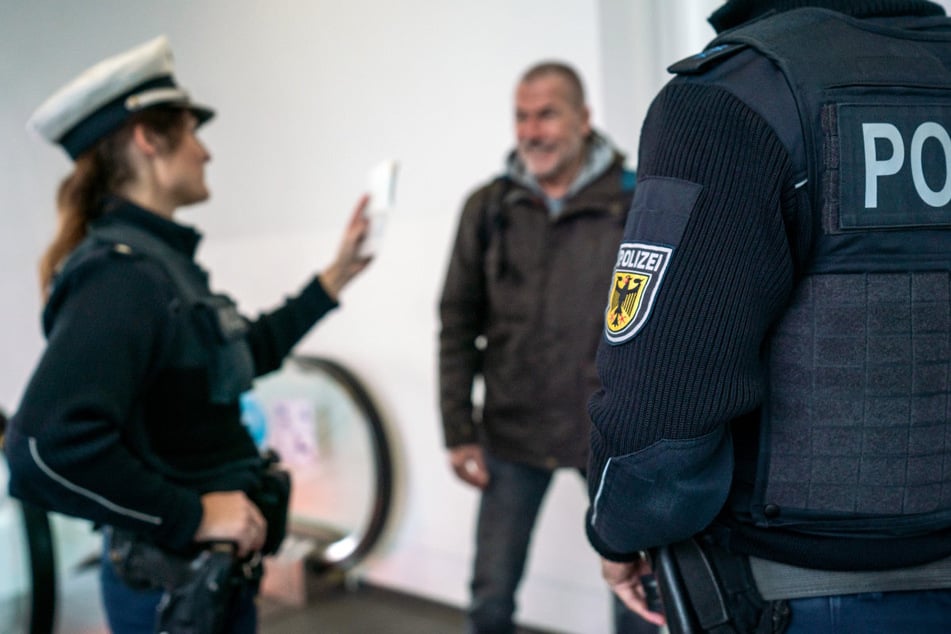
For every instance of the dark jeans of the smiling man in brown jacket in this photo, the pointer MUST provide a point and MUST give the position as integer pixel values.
(508, 512)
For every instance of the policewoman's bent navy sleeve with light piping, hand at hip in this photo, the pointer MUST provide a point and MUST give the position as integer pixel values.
(107, 326)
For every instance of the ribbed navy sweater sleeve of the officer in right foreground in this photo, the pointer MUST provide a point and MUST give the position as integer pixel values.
(715, 184)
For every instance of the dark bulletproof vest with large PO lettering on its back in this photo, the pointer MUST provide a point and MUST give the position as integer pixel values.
(855, 436)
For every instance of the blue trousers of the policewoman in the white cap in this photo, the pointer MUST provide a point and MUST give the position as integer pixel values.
(131, 611)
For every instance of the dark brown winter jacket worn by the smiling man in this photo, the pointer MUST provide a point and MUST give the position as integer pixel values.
(523, 306)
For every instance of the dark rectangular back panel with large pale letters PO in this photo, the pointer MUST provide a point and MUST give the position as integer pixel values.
(895, 167)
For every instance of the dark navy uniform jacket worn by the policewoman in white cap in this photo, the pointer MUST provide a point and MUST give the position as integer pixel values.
(132, 412)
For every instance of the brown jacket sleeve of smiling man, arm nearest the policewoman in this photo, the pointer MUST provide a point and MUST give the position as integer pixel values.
(462, 311)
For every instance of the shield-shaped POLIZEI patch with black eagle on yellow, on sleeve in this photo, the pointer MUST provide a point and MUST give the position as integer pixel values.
(637, 277)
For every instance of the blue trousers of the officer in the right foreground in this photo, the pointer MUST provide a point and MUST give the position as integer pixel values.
(924, 612)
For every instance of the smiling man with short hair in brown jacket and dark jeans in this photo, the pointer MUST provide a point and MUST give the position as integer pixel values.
(522, 310)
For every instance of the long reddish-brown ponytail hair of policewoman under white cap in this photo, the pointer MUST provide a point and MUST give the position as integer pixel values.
(98, 172)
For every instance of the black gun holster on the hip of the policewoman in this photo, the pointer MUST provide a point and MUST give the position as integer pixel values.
(198, 589)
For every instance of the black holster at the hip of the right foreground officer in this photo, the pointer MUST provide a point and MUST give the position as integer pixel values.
(706, 589)
